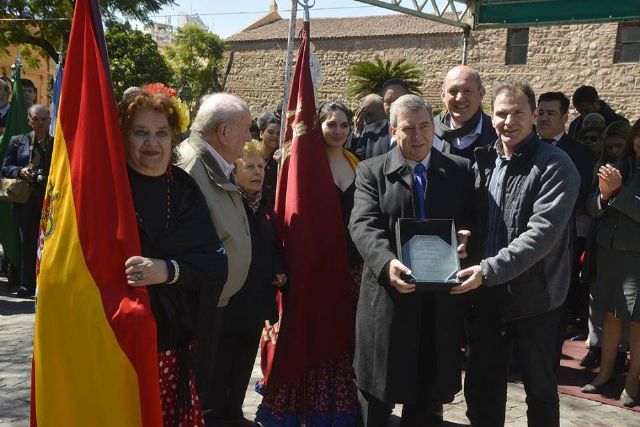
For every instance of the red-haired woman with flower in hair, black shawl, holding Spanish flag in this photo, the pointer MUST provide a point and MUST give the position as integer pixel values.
(182, 262)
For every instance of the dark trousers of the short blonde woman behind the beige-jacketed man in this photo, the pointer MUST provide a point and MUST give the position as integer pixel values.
(232, 372)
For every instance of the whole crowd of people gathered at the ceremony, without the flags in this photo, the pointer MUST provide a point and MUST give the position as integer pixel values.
(547, 221)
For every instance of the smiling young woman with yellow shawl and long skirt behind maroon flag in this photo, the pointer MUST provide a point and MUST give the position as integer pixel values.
(326, 394)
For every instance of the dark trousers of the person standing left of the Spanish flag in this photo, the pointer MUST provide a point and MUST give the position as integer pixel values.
(27, 217)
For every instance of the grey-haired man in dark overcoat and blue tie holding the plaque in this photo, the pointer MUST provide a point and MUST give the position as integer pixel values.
(398, 328)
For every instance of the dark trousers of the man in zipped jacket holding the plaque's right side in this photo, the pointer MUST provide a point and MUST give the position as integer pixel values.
(491, 342)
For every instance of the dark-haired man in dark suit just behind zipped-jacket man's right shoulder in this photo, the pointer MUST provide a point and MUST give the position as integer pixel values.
(553, 109)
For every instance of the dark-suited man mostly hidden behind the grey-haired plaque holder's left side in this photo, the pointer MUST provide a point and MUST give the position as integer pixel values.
(375, 138)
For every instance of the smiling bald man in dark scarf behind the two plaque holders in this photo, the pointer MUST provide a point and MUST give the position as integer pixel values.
(464, 126)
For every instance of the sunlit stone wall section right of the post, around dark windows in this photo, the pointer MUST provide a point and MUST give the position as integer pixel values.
(562, 58)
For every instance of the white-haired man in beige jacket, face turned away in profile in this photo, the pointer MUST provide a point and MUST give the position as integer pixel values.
(218, 135)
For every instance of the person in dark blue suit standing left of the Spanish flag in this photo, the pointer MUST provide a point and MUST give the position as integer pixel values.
(29, 157)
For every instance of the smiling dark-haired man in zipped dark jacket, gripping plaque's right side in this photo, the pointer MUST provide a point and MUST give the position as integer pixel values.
(523, 189)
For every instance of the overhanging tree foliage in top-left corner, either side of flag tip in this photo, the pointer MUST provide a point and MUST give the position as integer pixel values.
(45, 24)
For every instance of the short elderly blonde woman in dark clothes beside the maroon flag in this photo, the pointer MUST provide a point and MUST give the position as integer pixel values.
(255, 304)
